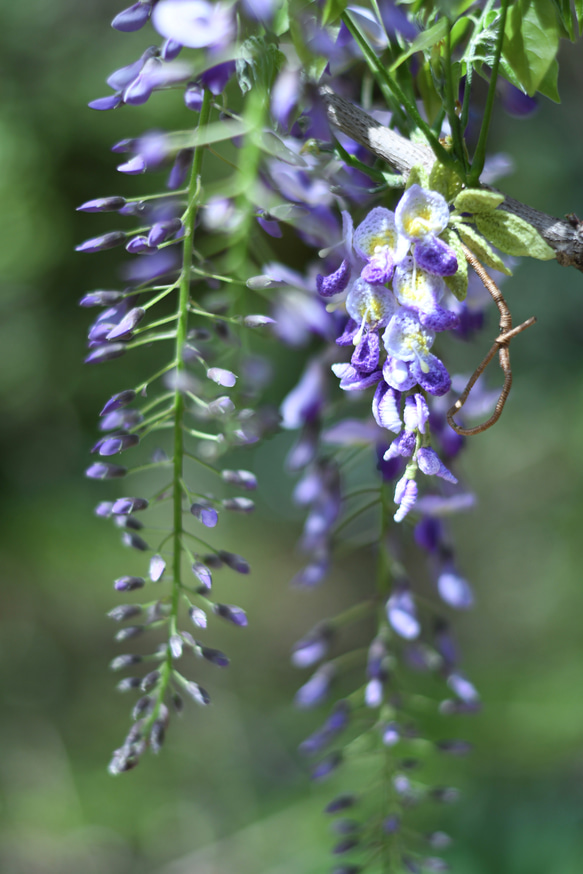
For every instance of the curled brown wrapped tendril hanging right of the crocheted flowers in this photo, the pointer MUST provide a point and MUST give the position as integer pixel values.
(501, 345)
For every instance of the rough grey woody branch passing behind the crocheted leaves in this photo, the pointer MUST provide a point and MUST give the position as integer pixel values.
(565, 237)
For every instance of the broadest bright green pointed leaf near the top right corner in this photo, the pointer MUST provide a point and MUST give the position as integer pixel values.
(531, 41)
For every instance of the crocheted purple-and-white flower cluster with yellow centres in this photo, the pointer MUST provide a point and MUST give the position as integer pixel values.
(394, 307)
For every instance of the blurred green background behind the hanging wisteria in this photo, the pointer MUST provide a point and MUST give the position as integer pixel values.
(228, 794)
